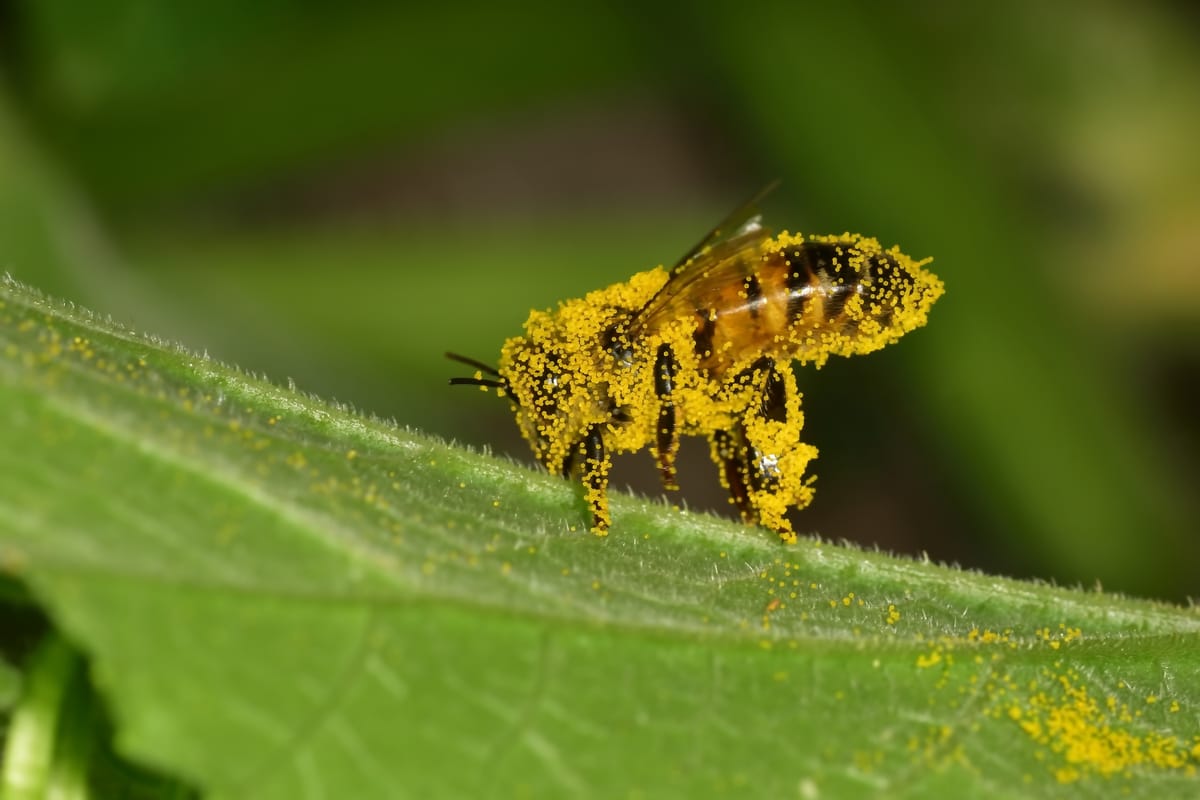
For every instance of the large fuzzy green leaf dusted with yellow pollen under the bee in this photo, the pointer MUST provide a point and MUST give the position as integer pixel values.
(281, 598)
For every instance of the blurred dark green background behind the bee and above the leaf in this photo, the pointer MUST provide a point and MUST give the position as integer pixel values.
(339, 194)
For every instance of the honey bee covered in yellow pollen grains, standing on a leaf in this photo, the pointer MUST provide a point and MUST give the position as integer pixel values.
(705, 348)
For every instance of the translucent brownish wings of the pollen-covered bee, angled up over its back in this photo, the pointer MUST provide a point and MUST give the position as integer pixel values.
(717, 257)
